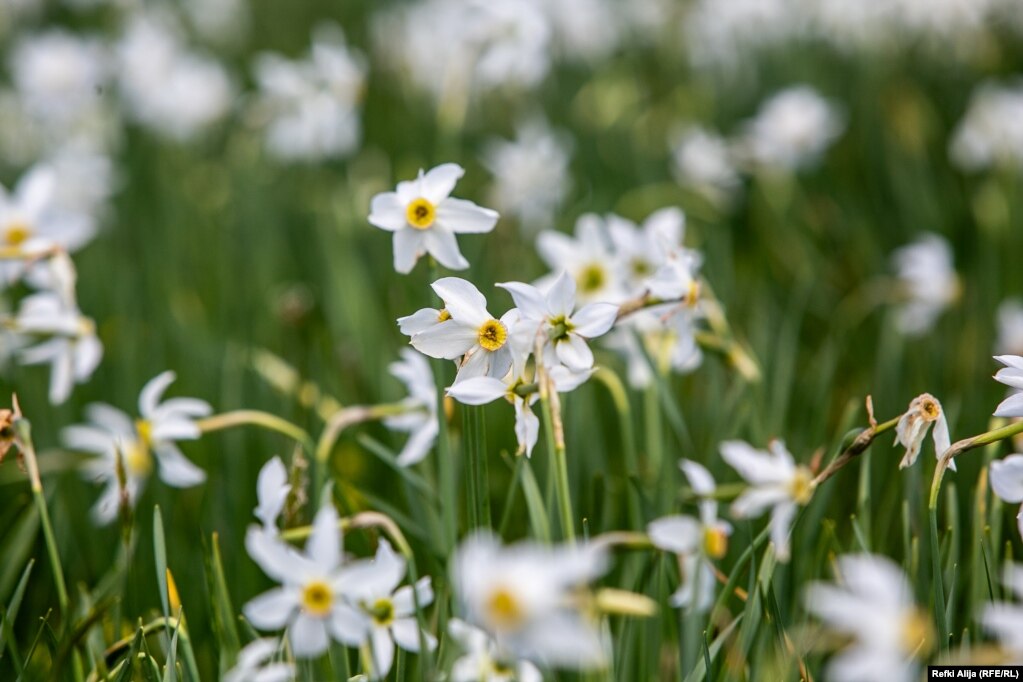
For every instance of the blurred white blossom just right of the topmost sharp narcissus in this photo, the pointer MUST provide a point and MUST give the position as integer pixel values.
(531, 174)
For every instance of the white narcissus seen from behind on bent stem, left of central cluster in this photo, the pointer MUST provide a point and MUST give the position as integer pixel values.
(420, 419)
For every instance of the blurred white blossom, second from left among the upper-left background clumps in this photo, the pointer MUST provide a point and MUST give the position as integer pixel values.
(167, 87)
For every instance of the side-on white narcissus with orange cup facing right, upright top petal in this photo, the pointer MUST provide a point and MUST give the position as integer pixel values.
(695, 541)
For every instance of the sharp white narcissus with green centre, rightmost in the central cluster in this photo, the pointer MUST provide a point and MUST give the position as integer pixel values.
(567, 330)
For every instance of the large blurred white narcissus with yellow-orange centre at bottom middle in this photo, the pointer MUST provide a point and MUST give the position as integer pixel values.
(523, 597)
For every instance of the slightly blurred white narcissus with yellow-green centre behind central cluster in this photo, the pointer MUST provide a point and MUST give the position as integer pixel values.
(588, 257)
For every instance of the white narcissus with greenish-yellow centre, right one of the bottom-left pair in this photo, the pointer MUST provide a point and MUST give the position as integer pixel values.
(390, 611)
